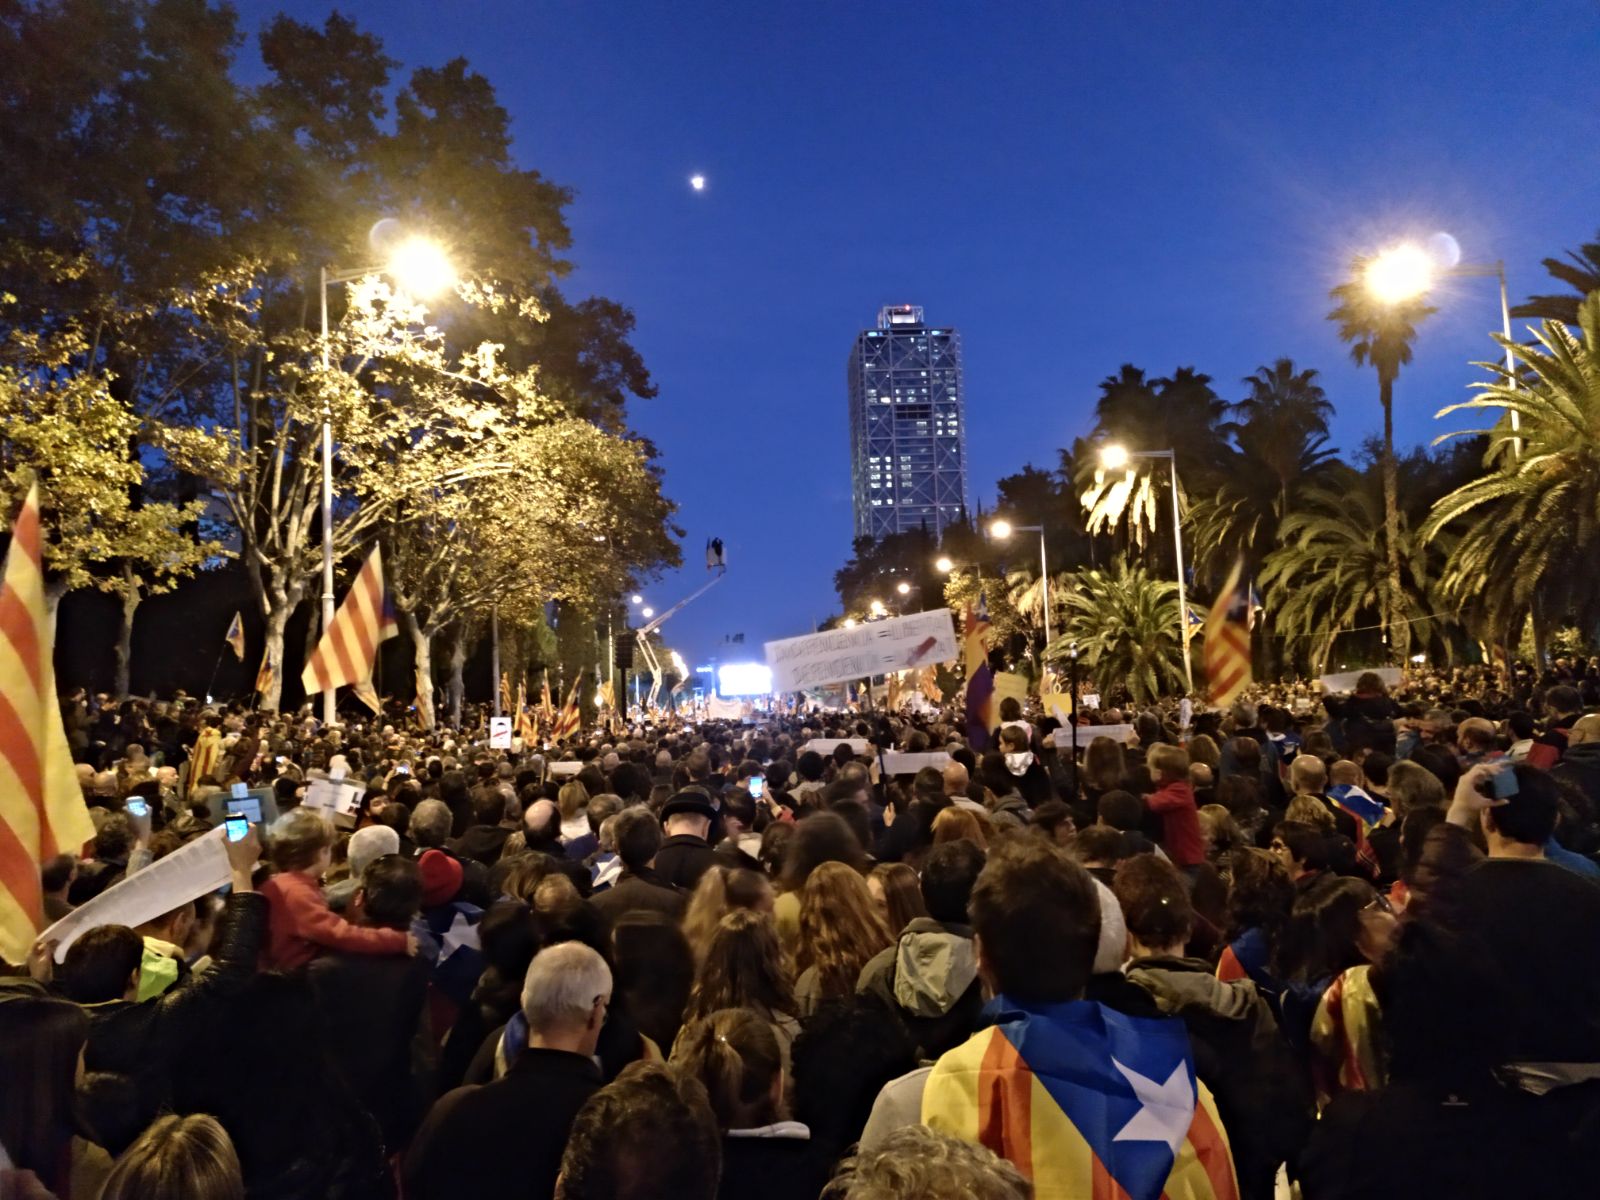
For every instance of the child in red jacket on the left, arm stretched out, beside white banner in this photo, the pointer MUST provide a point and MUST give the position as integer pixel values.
(300, 922)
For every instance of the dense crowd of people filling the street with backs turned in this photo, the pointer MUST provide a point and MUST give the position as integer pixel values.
(1319, 945)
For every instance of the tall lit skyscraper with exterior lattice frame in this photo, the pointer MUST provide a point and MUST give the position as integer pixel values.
(908, 434)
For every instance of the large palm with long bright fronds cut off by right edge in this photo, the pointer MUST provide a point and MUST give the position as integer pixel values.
(1530, 527)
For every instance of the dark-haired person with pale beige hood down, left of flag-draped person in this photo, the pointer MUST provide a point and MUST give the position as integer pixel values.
(929, 978)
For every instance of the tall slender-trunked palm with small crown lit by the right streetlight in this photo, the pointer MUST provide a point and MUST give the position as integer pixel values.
(1382, 335)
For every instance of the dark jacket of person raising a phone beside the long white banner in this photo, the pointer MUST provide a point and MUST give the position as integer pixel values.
(148, 1041)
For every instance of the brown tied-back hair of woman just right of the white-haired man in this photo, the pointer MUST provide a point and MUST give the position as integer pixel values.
(737, 1055)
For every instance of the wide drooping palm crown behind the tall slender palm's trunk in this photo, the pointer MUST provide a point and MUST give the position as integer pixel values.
(1330, 572)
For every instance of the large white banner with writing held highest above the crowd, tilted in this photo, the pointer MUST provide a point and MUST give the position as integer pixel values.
(871, 649)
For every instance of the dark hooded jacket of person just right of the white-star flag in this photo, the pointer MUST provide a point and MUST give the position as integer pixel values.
(1262, 1094)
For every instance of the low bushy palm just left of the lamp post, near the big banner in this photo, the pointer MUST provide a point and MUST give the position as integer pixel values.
(1126, 628)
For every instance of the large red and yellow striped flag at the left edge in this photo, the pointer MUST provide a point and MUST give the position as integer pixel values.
(42, 810)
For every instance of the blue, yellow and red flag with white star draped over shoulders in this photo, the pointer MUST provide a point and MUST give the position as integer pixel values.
(1086, 1103)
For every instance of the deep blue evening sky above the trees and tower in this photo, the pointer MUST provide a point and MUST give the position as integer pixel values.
(1073, 190)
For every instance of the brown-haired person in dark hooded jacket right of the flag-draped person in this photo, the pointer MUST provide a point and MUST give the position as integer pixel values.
(1262, 1094)
